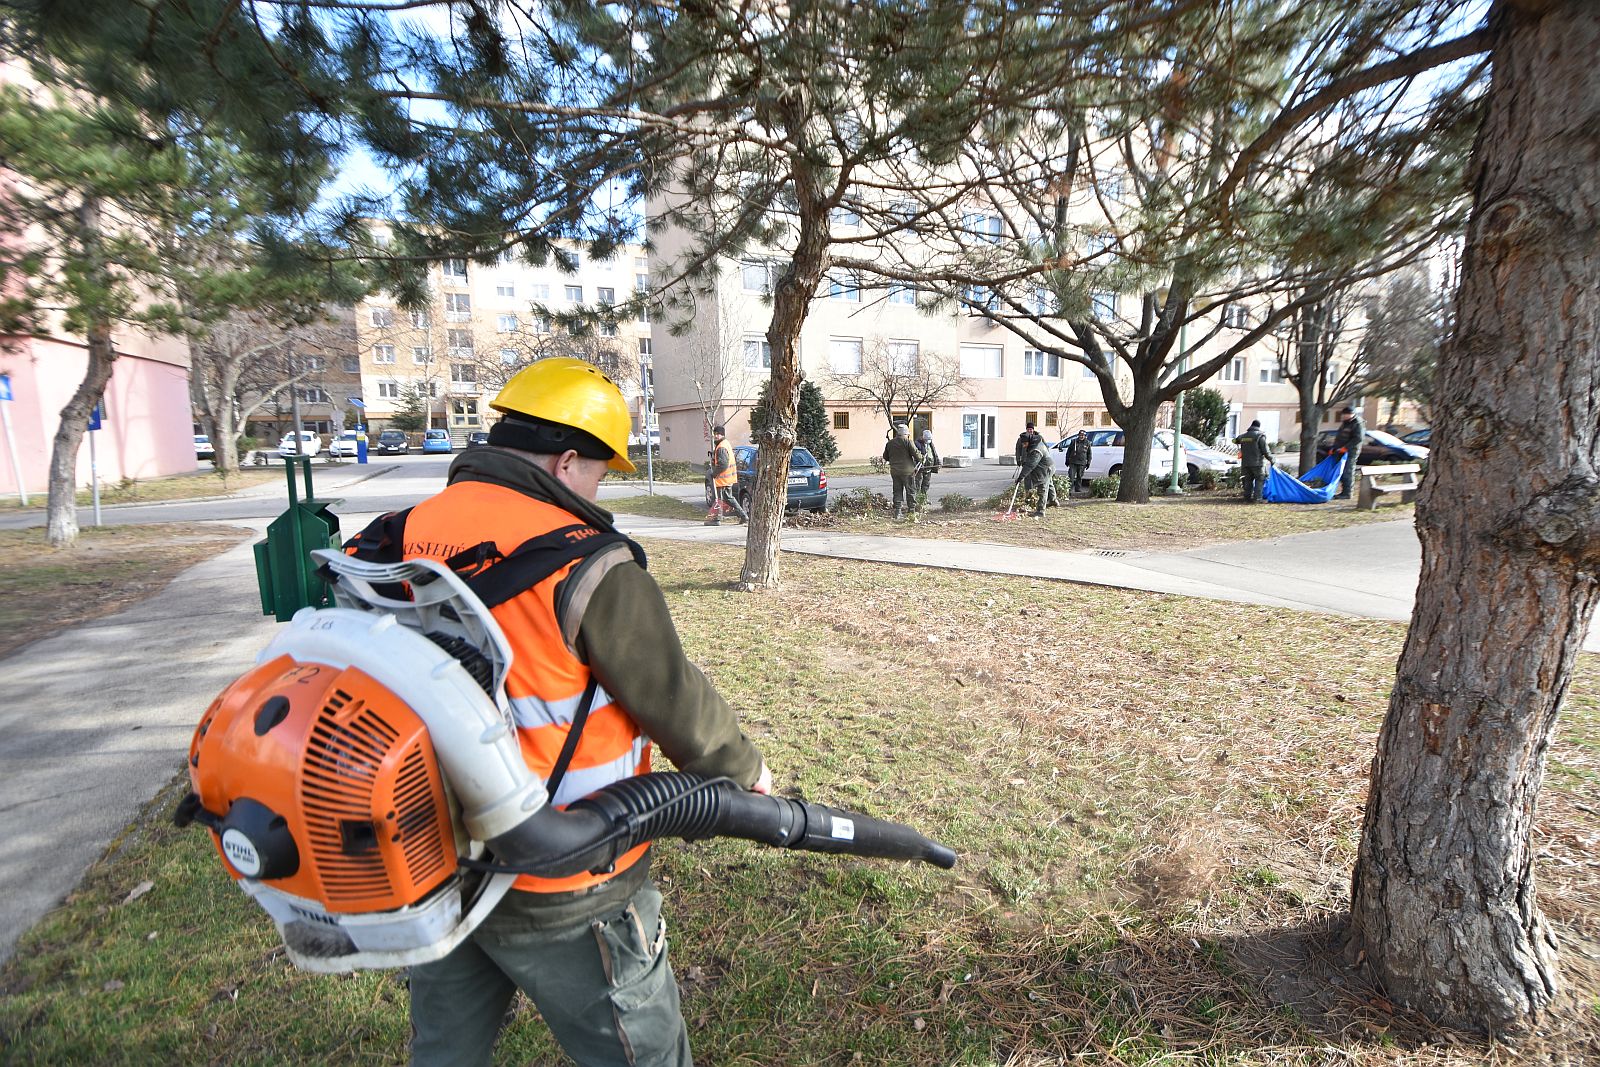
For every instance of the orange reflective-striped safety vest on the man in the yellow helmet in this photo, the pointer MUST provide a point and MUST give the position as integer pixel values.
(546, 682)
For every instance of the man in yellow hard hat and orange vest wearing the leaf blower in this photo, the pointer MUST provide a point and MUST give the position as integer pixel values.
(598, 679)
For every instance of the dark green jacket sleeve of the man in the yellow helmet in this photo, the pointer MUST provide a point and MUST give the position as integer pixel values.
(628, 639)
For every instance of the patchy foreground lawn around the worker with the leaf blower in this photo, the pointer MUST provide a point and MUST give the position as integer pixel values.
(1137, 821)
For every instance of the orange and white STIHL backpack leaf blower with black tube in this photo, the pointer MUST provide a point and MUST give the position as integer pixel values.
(366, 786)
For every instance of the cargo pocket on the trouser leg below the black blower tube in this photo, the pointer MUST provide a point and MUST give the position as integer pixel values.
(644, 996)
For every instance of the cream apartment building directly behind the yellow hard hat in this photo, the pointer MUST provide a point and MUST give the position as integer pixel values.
(486, 322)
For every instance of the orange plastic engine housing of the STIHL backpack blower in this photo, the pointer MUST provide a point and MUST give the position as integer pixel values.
(327, 788)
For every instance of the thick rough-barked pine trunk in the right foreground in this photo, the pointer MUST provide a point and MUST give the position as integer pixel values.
(1444, 900)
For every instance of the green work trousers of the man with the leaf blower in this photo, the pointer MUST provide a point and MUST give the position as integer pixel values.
(604, 988)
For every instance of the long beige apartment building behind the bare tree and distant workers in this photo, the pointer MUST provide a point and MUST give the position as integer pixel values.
(716, 370)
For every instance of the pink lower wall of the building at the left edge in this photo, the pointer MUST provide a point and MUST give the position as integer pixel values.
(148, 428)
